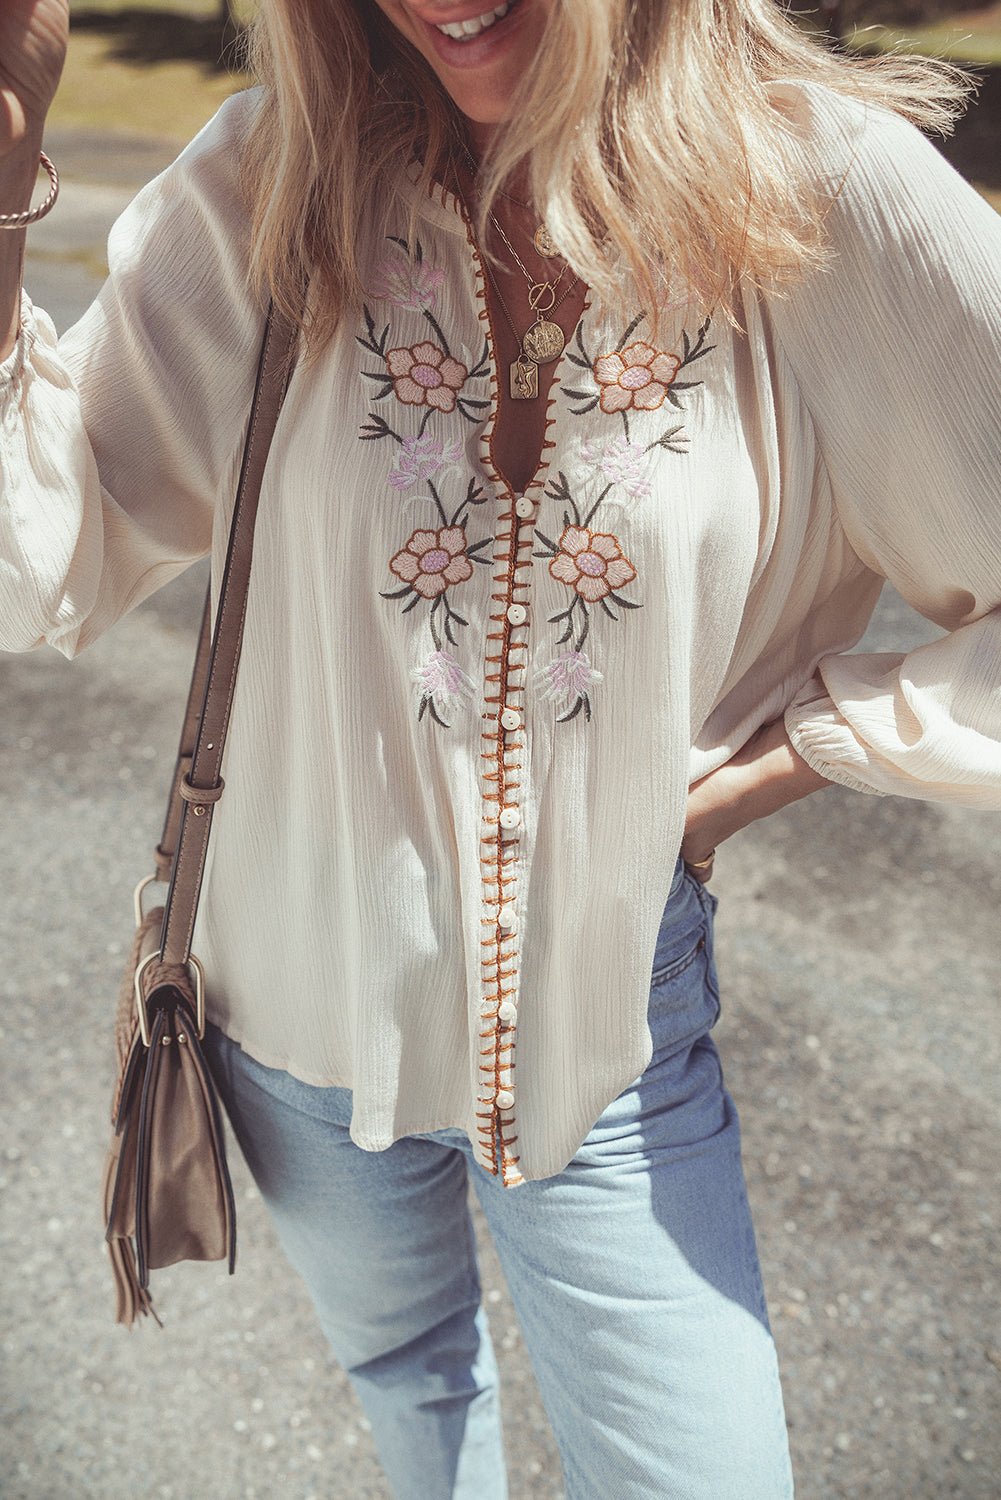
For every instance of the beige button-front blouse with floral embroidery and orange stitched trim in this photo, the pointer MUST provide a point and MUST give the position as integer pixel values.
(467, 721)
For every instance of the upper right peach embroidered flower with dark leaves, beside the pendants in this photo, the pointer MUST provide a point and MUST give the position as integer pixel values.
(637, 379)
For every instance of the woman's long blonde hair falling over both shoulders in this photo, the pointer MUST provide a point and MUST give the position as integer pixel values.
(649, 125)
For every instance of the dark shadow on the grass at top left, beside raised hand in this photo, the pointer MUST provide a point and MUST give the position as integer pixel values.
(166, 37)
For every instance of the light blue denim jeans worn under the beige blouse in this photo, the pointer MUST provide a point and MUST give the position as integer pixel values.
(634, 1273)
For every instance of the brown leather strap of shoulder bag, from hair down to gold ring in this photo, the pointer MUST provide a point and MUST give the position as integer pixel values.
(197, 785)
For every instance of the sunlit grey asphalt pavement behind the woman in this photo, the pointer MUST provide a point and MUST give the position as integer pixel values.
(861, 970)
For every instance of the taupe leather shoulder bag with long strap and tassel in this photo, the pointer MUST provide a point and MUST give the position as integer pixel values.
(167, 1192)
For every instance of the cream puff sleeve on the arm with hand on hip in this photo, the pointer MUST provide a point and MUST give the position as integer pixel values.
(897, 352)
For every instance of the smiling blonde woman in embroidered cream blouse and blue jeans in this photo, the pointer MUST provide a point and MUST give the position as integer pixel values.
(613, 419)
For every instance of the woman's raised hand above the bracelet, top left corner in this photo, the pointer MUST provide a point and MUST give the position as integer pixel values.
(32, 52)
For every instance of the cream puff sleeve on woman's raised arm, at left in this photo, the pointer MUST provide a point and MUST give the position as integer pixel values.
(115, 442)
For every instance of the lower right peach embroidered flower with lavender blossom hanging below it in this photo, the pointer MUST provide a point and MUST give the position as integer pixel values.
(594, 566)
